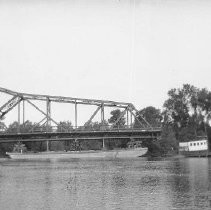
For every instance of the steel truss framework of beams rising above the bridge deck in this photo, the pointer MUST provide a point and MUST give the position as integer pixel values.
(18, 98)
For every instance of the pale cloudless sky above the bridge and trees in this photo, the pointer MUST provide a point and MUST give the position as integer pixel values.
(122, 50)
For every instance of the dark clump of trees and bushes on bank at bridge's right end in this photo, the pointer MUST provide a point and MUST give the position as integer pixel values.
(185, 115)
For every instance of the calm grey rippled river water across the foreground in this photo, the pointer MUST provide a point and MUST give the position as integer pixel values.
(179, 183)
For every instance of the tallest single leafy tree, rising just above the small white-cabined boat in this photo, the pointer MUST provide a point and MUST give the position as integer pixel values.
(180, 107)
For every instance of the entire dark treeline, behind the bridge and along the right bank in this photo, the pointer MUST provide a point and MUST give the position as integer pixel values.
(185, 115)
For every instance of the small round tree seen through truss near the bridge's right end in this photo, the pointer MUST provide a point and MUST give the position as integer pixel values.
(115, 115)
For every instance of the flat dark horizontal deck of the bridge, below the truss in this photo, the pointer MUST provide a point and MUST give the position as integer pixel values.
(89, 135)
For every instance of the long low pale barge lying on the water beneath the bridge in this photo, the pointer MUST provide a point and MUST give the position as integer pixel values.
(135, 150)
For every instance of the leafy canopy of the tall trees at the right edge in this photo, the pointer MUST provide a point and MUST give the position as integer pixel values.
(187, 110)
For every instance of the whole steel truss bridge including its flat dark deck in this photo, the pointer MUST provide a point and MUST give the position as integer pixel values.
(48, 129)
